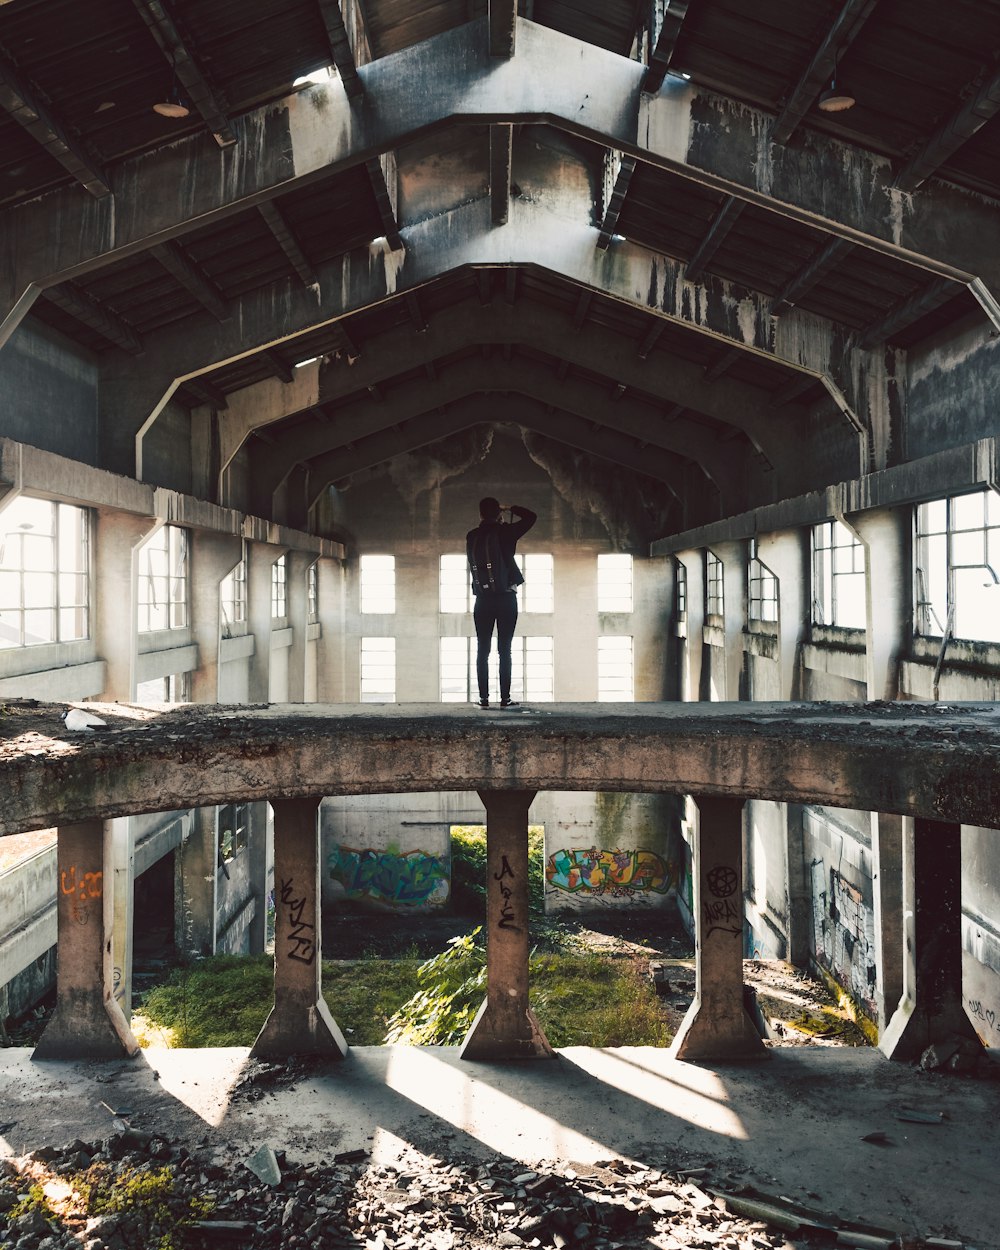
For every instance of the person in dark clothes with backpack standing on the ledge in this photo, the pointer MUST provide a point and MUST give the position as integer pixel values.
(496, 579)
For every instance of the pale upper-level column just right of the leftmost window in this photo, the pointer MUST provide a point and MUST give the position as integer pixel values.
(117, 542)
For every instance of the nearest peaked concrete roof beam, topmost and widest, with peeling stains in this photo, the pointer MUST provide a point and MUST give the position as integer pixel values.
(574, 87)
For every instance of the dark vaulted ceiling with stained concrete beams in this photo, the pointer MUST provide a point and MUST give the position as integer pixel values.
(632, 219)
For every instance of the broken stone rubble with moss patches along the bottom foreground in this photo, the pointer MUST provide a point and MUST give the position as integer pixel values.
(349, 1202)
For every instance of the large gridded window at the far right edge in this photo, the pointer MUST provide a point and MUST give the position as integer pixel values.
(958, 567)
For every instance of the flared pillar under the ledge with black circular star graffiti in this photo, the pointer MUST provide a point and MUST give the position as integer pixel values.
(717, 1026)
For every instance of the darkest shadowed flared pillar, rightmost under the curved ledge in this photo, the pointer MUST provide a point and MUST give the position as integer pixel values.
(932, 1009)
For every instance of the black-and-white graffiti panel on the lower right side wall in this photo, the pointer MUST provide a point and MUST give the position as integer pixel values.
(844, 934)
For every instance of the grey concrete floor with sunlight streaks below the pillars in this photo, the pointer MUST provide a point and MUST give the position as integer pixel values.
(792, 1126)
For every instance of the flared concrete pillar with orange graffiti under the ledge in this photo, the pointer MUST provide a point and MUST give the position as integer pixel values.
(88, 1022)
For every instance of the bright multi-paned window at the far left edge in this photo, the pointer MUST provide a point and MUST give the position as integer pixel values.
(44, 573)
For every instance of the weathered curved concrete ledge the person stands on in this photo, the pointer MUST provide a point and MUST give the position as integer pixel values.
(913, 759)
